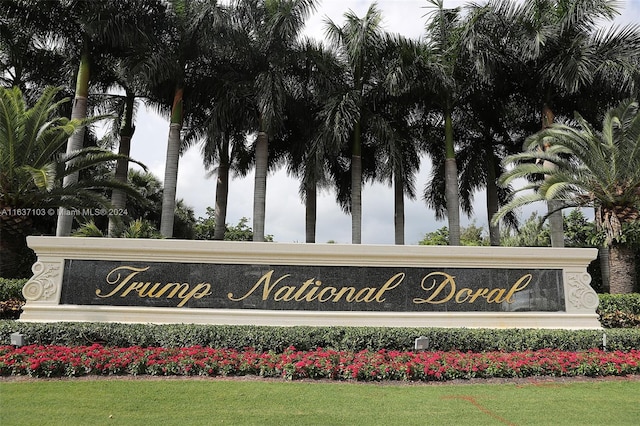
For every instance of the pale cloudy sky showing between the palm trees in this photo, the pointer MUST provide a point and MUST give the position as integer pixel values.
(285, 217)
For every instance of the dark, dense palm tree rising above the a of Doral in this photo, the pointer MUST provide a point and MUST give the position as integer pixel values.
(498, 110)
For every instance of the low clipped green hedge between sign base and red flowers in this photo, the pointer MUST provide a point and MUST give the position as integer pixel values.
(265, 338)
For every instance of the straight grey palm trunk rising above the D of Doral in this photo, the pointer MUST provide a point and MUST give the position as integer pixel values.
(452, 194)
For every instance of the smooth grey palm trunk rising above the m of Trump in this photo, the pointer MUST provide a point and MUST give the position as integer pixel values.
(171, 166)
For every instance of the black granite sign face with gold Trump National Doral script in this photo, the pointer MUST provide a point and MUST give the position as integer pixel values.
(317, 288)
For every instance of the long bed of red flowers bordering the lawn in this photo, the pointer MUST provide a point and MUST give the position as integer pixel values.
(63, 361)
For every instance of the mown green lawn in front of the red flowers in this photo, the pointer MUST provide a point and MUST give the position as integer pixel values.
(208, 402)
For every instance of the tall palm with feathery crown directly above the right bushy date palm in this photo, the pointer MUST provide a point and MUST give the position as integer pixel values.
(567, 53)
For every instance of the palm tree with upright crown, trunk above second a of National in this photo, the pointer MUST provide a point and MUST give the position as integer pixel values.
(359, 43)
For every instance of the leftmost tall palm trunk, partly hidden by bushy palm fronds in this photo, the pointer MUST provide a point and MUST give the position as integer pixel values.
(76, 141)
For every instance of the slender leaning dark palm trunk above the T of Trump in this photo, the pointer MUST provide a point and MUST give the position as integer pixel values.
(118, 197)
